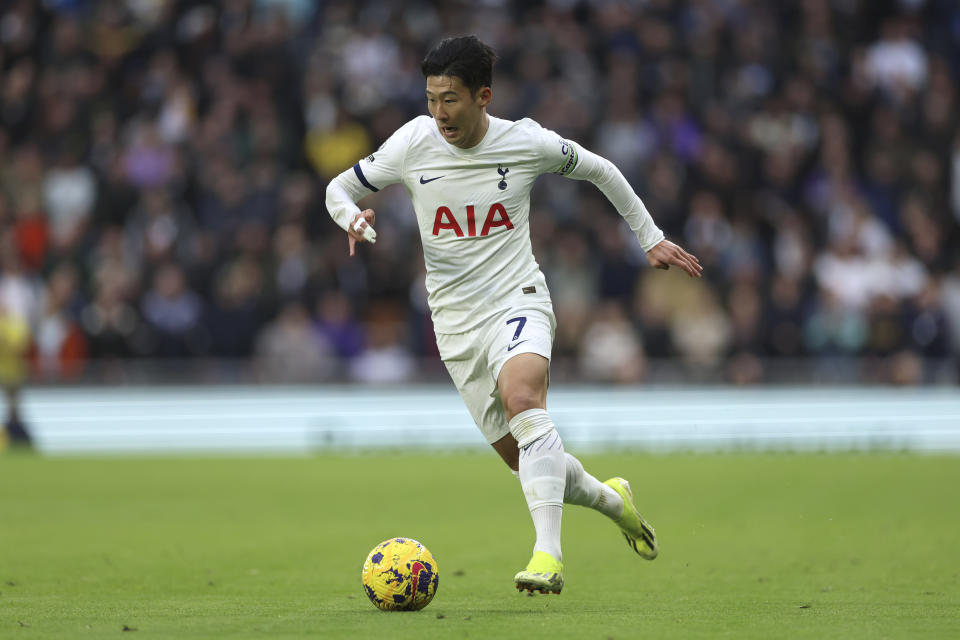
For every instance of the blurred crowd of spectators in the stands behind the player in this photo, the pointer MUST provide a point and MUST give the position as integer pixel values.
(163, 164)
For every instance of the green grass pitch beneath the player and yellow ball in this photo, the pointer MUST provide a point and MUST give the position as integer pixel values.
(752, 546)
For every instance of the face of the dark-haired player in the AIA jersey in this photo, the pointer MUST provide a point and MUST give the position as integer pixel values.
(459, 114)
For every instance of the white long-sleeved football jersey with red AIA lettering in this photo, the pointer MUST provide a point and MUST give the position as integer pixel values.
(473, 208)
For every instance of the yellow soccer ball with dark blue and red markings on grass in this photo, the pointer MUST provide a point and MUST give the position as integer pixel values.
(400, 574)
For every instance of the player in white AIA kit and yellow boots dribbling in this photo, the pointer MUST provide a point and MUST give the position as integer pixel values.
(469, 176)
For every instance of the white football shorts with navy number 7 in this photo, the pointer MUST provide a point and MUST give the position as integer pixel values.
(474, 359)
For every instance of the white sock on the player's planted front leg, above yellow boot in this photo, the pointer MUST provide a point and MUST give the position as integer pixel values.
(542, 477)
